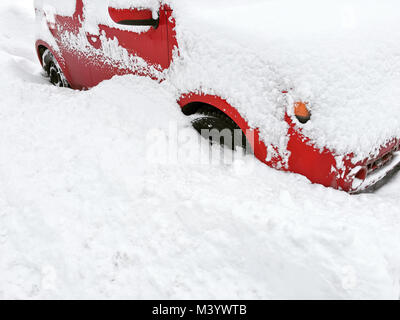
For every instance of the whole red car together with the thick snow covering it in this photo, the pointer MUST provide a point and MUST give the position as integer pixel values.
(312, 84)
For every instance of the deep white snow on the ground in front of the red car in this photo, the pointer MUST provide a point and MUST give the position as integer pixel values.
(85, 213)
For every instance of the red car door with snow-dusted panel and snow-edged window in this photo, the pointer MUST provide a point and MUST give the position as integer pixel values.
(133, 41)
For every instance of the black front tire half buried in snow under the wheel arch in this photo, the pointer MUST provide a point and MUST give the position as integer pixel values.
(217, 127)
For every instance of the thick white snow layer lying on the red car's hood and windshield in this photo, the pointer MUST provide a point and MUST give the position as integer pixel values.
(342, 56)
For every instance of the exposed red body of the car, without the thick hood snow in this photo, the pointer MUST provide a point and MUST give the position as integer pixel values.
(81, 44)
